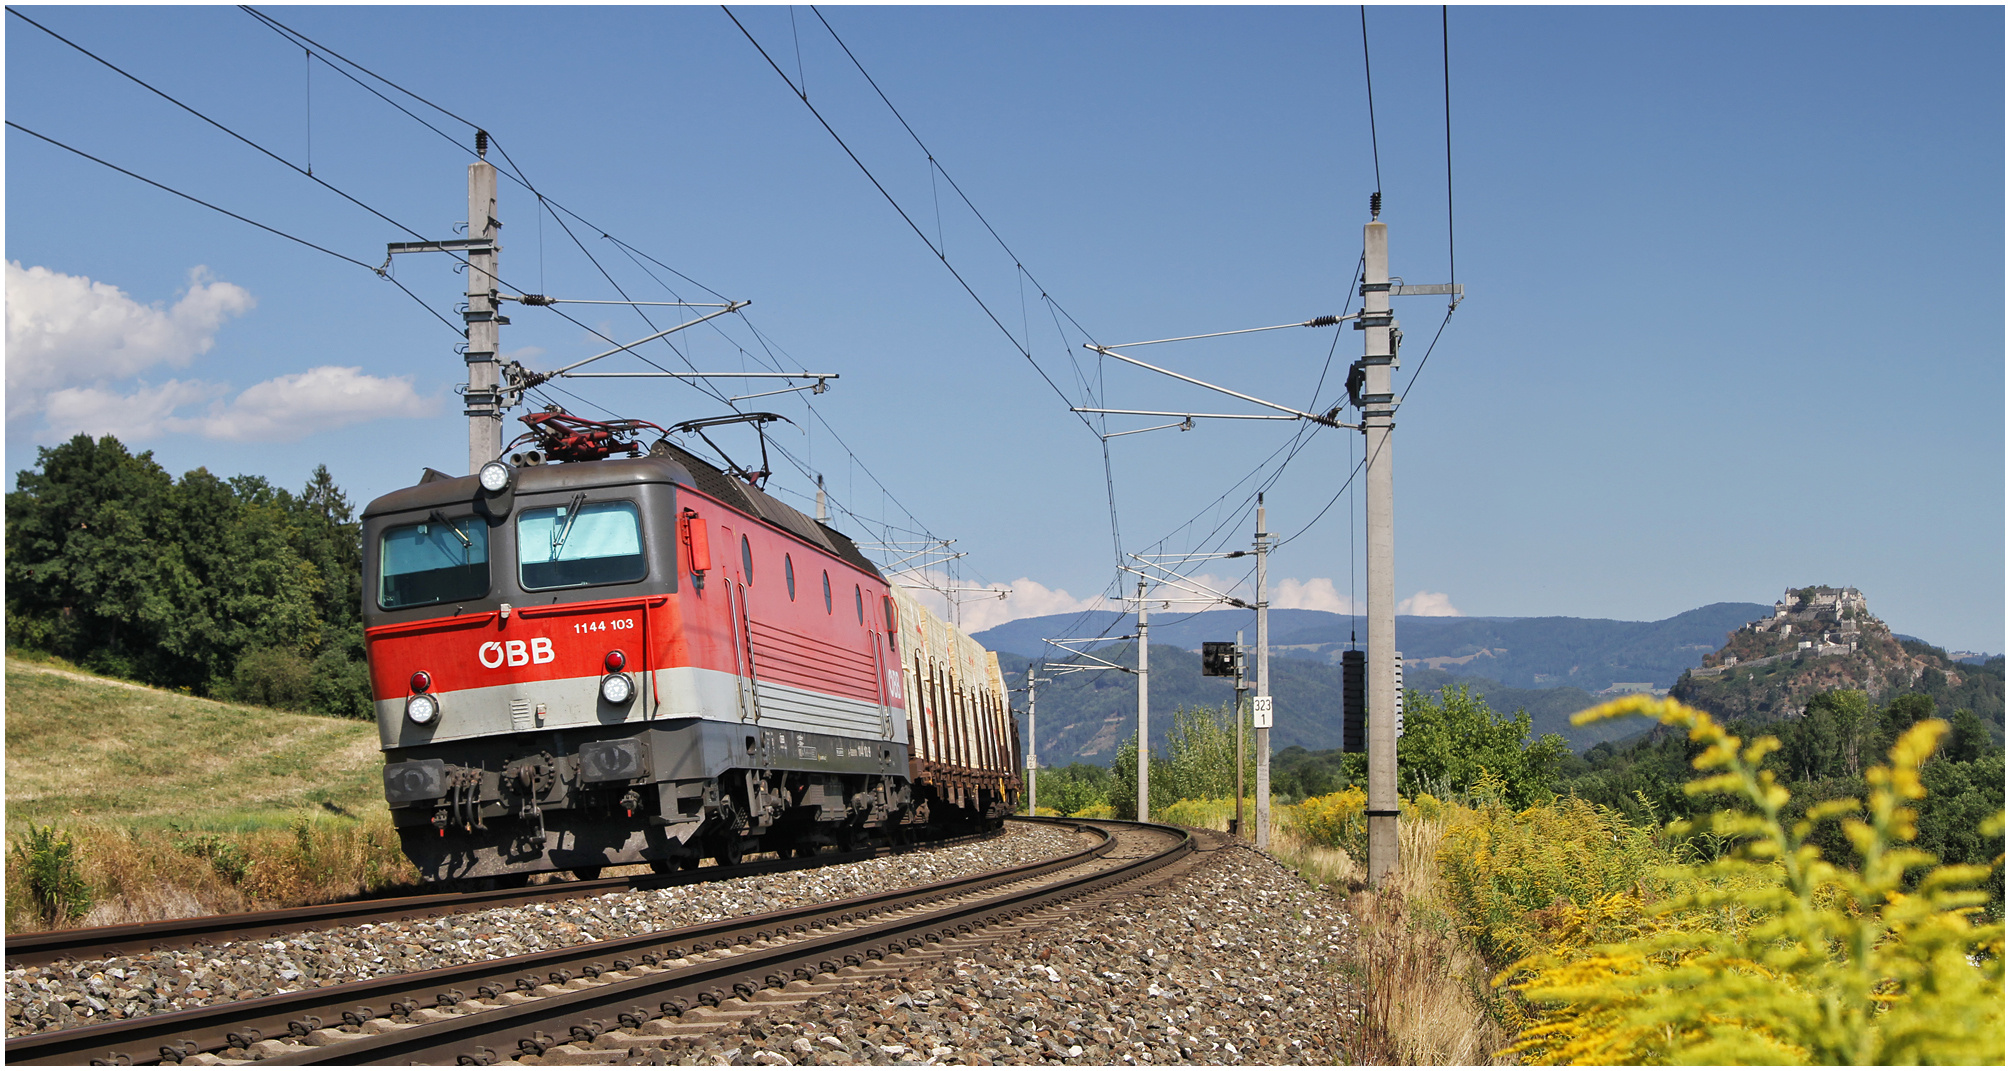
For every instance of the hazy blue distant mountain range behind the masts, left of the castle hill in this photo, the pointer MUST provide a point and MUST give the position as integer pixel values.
(1547, 666)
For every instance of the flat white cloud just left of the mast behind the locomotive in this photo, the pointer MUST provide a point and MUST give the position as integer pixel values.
(307, 403)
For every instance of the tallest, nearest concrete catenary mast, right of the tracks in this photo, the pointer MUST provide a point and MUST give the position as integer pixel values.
(1378, 427)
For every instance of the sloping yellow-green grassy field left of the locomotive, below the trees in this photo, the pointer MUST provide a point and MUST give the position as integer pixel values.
(188, 807)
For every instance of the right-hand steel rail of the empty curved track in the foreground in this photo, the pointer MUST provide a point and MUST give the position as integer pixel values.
(510, 1032)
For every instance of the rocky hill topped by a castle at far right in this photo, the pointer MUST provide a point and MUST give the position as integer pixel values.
(1826, 638)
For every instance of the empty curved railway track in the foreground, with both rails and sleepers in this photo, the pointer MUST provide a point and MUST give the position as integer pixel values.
(642, 988)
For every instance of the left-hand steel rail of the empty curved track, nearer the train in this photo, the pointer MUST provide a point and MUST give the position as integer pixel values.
(180, 1034)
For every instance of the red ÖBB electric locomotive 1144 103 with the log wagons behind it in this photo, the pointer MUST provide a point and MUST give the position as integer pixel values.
(650, 660)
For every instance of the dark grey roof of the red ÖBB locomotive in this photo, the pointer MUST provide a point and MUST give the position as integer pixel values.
(674, 467)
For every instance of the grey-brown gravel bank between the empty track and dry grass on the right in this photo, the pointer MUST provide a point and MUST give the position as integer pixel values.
(1233, 961)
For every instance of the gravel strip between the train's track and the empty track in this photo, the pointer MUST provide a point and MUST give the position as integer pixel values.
(93, 992)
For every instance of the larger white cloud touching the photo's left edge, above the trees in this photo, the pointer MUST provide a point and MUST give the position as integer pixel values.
(67, 333)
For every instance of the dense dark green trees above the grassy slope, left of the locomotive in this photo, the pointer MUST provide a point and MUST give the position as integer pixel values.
(224, 588)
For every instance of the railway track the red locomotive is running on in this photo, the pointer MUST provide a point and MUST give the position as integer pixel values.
(41, 949)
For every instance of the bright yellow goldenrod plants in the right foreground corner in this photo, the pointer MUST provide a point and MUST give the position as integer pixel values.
(1776, 955)
